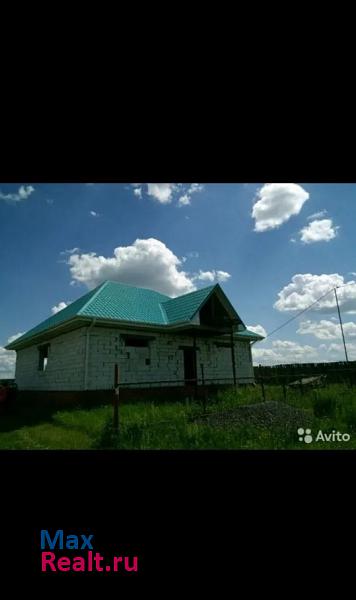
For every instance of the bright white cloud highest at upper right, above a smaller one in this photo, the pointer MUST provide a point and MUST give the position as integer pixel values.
(276, 203)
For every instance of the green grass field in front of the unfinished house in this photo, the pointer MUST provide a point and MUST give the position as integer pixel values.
(178, 425)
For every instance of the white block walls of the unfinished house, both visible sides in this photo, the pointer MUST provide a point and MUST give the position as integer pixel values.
(66, 361)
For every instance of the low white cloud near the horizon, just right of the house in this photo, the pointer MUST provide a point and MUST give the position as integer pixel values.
(284, 352)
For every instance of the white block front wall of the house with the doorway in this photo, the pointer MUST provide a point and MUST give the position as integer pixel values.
(161, 361)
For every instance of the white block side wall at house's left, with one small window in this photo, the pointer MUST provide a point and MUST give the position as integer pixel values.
(65, 366)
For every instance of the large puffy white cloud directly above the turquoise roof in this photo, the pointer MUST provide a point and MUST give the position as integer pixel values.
(147, 263)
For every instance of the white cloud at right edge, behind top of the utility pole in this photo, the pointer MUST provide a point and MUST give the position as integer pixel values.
(306, 288)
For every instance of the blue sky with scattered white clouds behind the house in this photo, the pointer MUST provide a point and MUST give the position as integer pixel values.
(275, 248)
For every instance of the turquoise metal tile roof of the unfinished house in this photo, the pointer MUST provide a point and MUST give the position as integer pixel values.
(120, 302)
